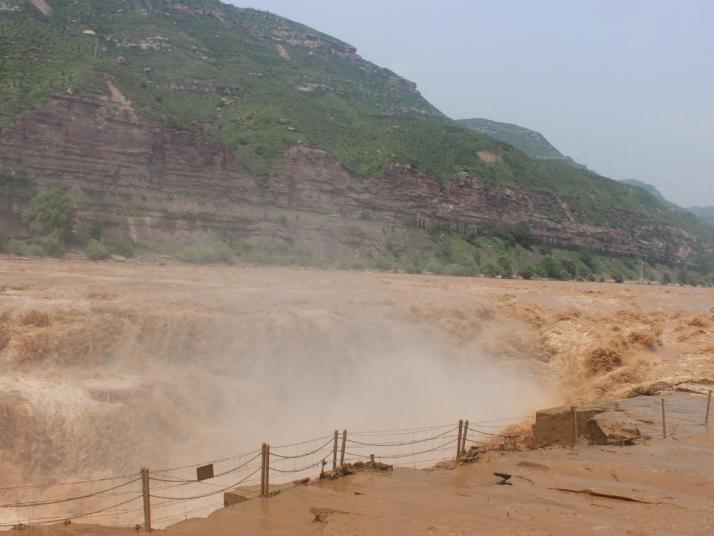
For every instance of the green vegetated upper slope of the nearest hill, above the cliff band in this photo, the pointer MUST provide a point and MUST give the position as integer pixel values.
(261, 84)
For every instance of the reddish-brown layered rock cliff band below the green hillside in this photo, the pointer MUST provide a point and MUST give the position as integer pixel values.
(152, 183)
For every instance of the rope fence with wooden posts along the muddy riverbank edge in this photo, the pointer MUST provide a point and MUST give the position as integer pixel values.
(175, 493)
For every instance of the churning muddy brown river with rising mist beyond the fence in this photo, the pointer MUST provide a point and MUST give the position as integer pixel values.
(106, 368)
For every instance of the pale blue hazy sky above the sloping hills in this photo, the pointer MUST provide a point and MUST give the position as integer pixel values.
(624, 86)
